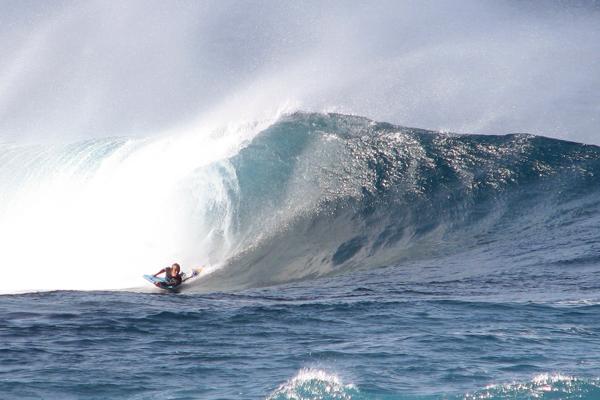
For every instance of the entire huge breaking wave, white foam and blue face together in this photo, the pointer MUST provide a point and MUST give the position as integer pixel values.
(307, 196)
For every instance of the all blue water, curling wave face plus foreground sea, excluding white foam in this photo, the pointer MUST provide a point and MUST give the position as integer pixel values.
(415, 265)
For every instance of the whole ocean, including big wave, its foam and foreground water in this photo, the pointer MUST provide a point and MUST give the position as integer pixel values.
(346, 259)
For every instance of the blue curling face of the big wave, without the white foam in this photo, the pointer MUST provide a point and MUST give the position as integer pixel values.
(322, 194)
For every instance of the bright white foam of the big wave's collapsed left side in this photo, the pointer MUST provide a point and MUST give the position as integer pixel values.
(79, 221)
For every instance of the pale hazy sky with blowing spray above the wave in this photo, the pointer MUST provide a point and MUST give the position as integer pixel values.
(73, 70)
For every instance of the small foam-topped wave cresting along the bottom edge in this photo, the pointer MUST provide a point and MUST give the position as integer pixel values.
(318, 384)
